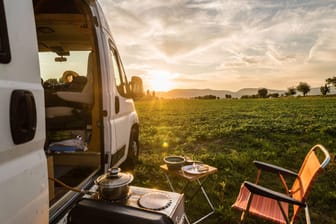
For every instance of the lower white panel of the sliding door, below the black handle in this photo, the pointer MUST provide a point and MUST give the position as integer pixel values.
(23, 187)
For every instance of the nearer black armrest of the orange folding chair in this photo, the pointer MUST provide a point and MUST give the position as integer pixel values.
(259, 190)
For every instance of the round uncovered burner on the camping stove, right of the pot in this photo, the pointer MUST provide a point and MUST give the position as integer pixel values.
(155, 201)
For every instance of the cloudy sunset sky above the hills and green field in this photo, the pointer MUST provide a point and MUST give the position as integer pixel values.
(225, 44)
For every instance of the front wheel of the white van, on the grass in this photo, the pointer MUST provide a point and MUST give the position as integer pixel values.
(133, 152)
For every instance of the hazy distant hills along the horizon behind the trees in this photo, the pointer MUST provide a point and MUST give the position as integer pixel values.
(189, 93)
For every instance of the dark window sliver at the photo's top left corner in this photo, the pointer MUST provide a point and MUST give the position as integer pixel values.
(4, 43)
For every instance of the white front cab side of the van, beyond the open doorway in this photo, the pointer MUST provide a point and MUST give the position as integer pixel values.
(117, 125)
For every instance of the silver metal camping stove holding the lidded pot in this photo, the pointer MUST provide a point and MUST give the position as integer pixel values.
(170, 204)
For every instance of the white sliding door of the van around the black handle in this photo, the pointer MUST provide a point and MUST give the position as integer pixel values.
(23, 167)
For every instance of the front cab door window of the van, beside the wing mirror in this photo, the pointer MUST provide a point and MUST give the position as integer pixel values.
(119, 74)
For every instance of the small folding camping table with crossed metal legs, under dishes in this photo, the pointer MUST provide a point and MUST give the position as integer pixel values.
(199, 178)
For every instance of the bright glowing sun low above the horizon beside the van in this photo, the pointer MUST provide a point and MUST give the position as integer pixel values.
(161, 80)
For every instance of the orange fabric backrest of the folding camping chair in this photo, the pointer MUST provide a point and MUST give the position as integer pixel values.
(309, 170)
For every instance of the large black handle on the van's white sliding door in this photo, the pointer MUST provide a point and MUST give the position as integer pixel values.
(22, 116)
